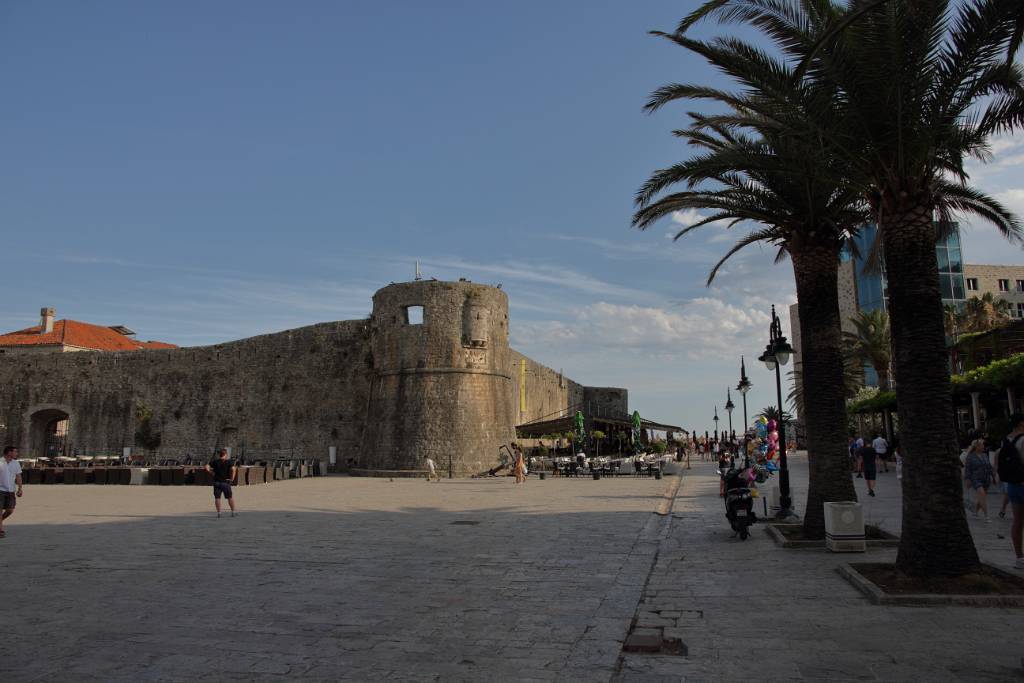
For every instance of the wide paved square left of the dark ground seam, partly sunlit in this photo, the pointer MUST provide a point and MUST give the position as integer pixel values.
(327, 579)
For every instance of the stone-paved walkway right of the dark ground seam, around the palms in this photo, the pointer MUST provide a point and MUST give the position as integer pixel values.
(751, 611)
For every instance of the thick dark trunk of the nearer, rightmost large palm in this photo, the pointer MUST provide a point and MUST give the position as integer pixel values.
(936, 540)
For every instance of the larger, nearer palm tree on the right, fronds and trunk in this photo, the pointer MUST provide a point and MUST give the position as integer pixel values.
(919, 88)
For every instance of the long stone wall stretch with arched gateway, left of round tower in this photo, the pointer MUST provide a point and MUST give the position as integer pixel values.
(302, 390)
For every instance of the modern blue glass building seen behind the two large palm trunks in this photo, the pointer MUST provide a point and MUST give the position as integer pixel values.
(872, 287)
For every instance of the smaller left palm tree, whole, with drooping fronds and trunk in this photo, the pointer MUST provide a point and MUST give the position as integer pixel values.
(793, 191)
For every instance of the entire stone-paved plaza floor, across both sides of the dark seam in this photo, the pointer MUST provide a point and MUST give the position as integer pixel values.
(361, 579)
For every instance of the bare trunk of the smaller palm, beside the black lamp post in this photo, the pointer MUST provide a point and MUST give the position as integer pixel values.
(817, 272)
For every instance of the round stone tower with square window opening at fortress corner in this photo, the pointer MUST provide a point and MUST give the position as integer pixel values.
(442, 387)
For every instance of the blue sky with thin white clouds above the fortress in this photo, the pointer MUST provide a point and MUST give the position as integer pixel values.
(205, 172)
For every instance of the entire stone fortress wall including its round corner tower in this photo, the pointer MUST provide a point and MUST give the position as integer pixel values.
(387, 393)
